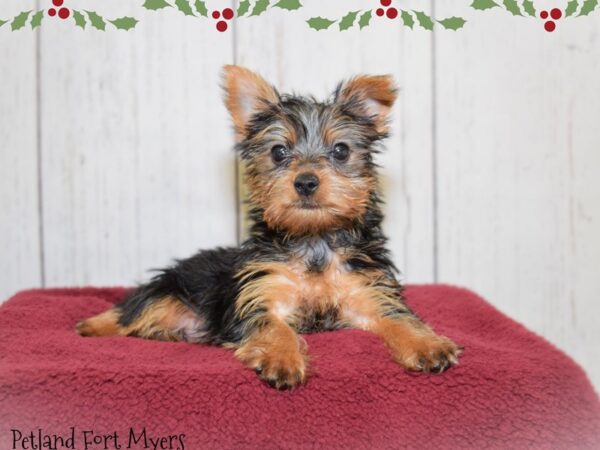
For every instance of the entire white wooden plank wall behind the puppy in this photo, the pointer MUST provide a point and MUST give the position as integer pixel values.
(115, 150)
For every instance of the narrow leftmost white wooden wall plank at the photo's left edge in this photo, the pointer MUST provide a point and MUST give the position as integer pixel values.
(20, 252)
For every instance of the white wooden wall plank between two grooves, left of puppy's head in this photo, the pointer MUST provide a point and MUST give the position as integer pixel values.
(136, 147)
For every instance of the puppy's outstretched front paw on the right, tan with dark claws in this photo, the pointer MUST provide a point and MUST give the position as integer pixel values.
(430, 353)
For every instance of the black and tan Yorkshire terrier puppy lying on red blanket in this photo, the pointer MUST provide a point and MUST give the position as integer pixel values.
(316, 258)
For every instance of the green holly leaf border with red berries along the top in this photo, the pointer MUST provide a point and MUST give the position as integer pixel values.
(246, 9)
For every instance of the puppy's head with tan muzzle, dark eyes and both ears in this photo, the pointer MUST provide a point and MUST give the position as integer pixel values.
(309, 164)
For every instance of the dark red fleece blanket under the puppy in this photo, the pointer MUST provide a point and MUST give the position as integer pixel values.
(512, 389)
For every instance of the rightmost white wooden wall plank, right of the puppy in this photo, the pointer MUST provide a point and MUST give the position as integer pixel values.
(518, 157)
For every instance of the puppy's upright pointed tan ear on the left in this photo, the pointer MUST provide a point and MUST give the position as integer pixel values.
(246, 93)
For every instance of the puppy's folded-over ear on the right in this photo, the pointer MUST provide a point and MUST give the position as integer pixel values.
(369, 96)
